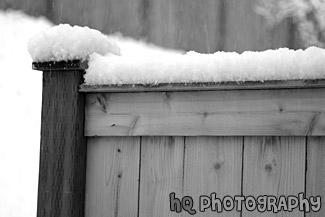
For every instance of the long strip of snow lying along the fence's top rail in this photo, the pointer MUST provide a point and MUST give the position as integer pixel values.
(281, 64)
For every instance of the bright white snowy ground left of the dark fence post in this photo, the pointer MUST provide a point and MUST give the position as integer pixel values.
(20, 114)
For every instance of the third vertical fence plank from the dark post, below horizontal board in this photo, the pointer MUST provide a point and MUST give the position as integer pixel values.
(213, 164)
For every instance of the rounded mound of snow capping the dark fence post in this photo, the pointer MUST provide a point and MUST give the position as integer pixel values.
(64, 42)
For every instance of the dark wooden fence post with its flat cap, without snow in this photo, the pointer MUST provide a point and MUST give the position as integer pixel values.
(62, 170)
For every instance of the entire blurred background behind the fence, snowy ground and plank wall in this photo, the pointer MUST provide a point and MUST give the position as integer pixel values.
(204, 26)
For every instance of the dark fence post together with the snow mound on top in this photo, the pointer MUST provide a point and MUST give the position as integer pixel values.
(61, 53)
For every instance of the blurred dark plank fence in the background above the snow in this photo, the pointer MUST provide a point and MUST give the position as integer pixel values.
(203, 26)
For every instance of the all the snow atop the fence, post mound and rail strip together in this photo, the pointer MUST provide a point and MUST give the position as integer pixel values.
(111, 66)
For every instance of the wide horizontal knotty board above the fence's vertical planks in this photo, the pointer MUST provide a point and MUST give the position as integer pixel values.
(194, 113)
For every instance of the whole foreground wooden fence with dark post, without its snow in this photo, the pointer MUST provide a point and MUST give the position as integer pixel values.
(144, 143)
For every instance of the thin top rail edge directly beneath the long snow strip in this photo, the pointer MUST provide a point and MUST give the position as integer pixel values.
(248, 85)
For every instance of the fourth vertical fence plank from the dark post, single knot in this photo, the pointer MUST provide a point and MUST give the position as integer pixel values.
(274, 166)
